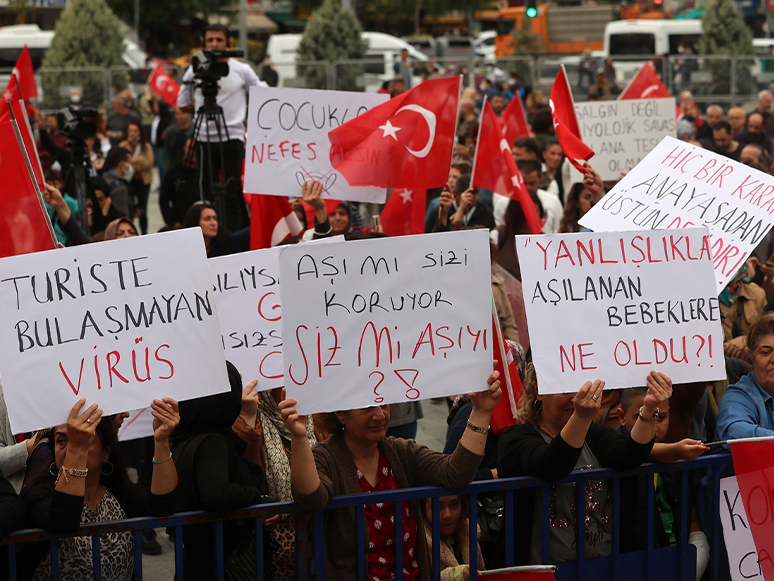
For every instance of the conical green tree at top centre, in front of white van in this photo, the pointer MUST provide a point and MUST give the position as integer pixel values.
(332, 35)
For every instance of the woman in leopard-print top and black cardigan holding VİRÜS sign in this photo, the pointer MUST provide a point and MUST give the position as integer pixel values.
(88, 484)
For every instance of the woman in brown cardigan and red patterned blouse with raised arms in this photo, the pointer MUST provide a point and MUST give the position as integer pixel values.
(359, 458)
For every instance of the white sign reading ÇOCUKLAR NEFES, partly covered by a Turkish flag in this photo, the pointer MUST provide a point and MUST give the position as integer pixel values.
(287, 141)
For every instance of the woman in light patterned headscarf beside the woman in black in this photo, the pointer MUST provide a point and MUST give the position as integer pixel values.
(261, 425)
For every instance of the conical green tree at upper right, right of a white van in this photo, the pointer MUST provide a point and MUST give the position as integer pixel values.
(725, 33)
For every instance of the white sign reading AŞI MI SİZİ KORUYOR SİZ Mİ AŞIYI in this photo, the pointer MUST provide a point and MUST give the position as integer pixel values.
(386, 320)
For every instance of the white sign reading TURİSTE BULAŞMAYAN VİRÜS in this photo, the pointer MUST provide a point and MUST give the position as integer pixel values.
(119, 323)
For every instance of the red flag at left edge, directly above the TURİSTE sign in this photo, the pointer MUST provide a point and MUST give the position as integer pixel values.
(24, 224)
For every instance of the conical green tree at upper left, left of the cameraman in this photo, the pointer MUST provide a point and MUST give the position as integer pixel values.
(87, 34)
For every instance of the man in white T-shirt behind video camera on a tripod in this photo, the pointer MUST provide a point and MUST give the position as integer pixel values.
(232, 90)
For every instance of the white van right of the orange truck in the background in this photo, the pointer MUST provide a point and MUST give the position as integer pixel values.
(630, 38)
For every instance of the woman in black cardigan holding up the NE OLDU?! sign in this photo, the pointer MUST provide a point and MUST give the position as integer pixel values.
(556, 437)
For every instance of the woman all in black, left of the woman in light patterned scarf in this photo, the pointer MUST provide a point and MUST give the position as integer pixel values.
(214, 477)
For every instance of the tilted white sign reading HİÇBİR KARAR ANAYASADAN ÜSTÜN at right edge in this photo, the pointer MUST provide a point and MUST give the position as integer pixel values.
(679, 185)
